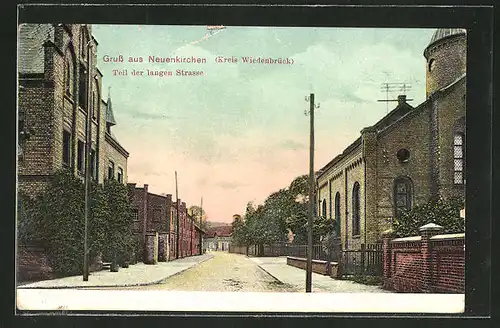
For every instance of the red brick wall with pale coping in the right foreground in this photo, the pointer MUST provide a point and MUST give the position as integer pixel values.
(428, 263)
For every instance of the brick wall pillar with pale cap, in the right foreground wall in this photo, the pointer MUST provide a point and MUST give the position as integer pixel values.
(427, 231)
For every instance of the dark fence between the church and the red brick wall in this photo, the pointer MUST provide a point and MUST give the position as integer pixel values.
(366, 261)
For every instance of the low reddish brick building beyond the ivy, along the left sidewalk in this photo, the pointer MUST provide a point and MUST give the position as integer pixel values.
(158, 213)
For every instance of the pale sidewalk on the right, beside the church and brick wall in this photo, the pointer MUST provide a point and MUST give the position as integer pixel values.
(277, 267)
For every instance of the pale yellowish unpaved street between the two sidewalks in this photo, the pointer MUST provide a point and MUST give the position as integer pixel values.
(225, 272)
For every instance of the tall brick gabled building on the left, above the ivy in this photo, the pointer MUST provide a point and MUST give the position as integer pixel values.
(57, 96)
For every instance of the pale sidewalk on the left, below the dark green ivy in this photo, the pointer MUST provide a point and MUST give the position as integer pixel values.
(139, 274)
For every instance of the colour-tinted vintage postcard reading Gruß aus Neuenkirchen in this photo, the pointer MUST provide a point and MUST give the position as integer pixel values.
(179, 167)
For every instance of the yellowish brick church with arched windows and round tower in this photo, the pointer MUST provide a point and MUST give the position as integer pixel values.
(411, 155)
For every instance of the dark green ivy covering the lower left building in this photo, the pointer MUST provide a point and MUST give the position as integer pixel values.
(56, 220)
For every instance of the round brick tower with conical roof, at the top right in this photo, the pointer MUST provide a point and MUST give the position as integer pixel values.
(446, 58)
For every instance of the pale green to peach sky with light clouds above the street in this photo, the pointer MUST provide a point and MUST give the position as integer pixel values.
(238, 132)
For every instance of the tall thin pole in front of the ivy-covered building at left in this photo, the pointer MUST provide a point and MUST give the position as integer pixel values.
(88, 146)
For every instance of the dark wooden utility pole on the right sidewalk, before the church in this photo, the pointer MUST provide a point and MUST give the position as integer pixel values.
(311, 193)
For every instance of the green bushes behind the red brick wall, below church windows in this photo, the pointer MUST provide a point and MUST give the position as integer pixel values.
(445, 213)
